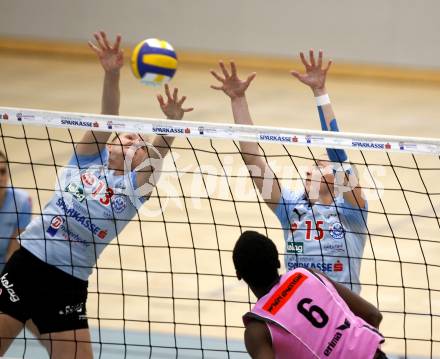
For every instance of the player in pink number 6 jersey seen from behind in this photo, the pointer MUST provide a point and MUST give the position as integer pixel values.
(302, 314)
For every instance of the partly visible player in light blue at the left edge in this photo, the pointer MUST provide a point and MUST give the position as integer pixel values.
(15, 213)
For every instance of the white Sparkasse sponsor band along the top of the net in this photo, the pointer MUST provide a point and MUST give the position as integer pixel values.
(220, 131)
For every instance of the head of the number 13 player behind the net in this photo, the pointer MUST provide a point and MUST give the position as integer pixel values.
(122, 147)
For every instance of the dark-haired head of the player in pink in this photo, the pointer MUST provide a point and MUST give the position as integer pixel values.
(256, 260)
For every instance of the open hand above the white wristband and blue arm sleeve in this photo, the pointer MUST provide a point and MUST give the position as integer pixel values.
(315, 74)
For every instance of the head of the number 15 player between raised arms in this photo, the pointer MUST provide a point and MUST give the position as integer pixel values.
(320, 180)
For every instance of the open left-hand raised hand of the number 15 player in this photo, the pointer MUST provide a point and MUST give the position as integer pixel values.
(231, 85)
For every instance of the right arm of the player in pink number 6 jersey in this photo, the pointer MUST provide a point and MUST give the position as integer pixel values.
(358, 305)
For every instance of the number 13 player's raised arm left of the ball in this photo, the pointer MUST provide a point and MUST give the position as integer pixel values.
(111, 58)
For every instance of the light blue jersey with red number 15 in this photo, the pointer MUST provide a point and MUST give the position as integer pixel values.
(330, 238)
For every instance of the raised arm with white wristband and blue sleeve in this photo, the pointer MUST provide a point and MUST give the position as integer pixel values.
(315, 76)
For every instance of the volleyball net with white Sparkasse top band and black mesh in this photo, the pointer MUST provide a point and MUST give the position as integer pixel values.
(166, 286)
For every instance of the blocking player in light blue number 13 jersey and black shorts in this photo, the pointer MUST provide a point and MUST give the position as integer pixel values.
(46, 279)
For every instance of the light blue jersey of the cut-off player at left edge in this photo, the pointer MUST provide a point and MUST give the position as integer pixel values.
(15, 214)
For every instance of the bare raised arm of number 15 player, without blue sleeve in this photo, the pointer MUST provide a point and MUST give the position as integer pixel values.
(259, 169)
